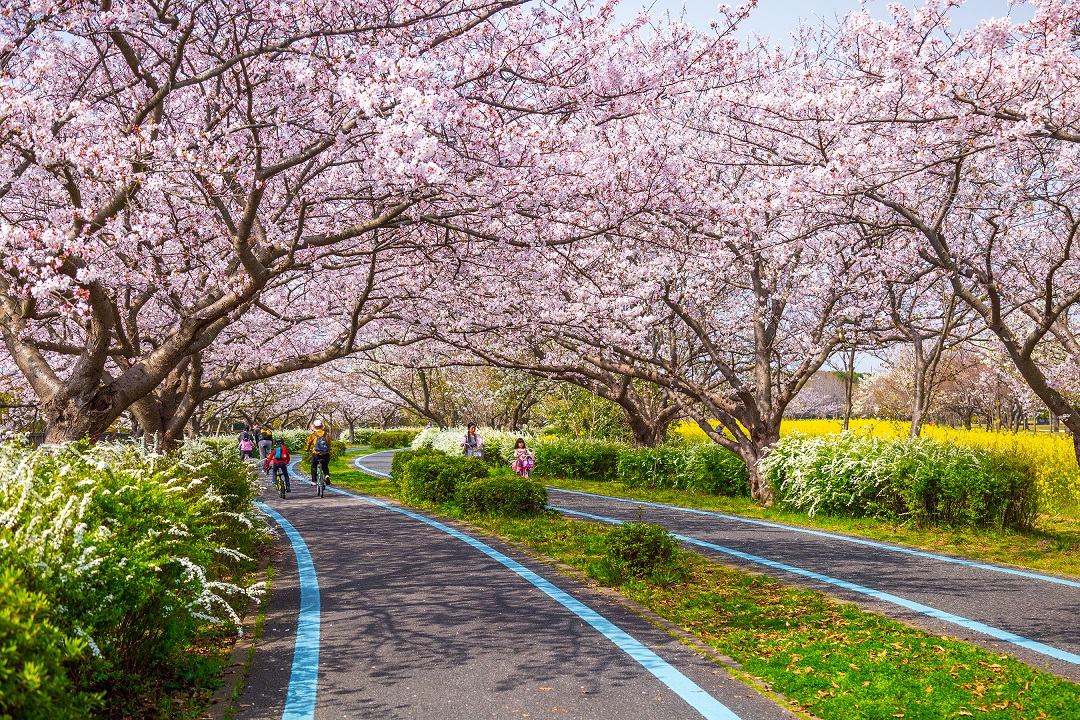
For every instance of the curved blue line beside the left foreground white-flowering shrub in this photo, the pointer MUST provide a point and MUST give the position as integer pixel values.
(304, 680)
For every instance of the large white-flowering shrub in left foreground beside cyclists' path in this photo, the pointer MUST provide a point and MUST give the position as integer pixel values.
(137, 554)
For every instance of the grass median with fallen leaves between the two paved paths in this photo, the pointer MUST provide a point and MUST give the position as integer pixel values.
(826, 657)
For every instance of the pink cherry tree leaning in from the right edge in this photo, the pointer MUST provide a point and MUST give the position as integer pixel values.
(963, 147)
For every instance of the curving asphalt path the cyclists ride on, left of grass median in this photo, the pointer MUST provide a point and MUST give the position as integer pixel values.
(416, 623)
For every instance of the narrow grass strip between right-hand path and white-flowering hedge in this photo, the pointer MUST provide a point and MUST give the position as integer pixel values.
(1052, 547)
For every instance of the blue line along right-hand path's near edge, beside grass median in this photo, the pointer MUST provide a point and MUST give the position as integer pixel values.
(877, 595)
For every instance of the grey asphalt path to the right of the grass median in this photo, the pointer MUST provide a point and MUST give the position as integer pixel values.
(1037, 609)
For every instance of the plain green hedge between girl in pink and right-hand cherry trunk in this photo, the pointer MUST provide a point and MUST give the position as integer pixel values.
(703, 468)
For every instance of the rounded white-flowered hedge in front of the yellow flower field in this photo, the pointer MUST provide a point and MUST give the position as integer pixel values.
(921, 480)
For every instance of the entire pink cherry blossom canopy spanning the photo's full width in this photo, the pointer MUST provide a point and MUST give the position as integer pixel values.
(198, 199)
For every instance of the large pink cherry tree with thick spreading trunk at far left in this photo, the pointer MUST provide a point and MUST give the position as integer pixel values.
(171, 170)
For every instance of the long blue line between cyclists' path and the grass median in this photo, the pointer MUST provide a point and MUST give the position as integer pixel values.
(684, 687)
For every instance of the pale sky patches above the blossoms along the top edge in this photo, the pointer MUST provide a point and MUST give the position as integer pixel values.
(778, 19)
